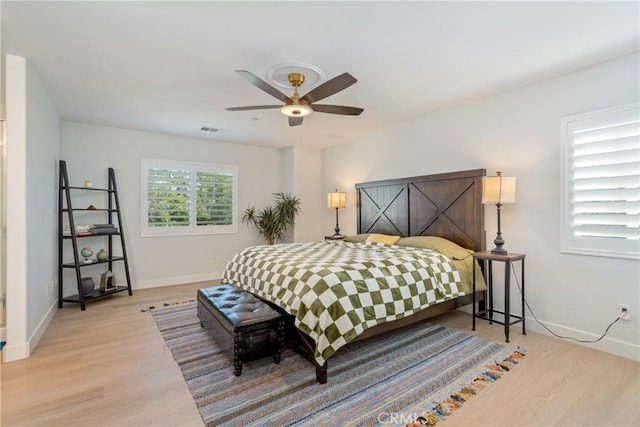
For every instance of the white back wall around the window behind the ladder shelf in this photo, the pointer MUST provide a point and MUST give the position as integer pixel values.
(156, 261)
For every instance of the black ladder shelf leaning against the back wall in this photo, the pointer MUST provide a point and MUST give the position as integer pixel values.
(65, 207)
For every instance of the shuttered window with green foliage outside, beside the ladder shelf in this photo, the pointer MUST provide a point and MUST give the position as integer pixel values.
(188, 198)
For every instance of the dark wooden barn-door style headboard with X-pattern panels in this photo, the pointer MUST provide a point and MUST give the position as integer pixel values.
(447, 205)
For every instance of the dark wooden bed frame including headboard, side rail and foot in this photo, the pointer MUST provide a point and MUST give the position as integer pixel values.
(446, 205)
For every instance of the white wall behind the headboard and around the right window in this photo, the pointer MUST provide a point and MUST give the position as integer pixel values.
(517, 133)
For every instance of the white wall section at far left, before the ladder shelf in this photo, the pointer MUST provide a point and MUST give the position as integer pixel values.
(33, 147)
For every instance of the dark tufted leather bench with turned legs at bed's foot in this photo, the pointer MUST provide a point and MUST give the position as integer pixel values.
(245, 327)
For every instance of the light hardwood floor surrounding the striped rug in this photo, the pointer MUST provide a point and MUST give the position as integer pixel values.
(108, 366)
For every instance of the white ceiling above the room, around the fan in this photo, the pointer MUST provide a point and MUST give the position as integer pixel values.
(169, 66)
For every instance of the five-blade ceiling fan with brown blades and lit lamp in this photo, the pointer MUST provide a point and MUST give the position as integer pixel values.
(296, 106)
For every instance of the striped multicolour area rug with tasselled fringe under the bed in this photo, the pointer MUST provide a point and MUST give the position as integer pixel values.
(415, 376)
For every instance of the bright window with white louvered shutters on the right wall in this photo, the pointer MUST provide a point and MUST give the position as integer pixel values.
(601, 183)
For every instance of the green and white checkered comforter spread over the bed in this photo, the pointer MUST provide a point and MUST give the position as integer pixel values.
(338, 289)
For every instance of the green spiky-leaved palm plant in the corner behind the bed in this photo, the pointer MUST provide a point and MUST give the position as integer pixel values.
(273, 222)
